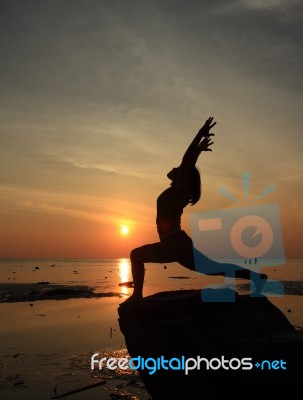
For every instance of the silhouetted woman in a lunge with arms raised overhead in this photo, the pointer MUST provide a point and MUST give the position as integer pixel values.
(175, 245)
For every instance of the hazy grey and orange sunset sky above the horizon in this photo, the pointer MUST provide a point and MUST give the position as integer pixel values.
(100, 99)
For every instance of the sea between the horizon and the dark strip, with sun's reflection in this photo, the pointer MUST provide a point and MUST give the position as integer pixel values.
(105, 275)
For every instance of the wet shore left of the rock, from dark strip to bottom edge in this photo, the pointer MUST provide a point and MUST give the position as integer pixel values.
(46, 348)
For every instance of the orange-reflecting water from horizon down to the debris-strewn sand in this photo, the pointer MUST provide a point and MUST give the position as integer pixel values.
(89, 324)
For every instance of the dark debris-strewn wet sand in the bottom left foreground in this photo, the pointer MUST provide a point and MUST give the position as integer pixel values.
(49, 376)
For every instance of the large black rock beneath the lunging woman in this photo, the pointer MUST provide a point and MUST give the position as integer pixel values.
(176, 324)
